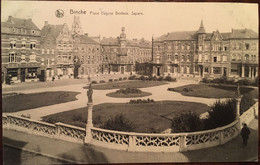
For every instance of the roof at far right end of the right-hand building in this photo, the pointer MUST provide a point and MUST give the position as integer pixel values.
(243, 33)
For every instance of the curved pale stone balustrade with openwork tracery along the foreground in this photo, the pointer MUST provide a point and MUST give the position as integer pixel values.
(131, 141)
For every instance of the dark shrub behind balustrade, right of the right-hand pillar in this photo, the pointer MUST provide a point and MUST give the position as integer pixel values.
(246, 102)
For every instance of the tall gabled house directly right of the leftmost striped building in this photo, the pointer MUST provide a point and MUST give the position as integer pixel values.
(57, 50)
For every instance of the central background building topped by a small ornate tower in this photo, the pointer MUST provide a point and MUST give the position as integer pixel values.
(120, 55)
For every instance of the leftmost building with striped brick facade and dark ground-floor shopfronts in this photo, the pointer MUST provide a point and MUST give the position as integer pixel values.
(20, 50)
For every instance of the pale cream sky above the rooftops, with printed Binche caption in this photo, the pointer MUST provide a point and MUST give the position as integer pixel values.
(156, 19)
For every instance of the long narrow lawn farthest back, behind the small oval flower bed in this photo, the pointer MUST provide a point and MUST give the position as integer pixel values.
(127, 84)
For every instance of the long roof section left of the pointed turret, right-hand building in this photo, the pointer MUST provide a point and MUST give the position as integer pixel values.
(184, 35)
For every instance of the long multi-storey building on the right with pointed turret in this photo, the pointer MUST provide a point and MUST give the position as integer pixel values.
(201, 54)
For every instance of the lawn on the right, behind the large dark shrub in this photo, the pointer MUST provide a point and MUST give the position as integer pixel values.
(211, 91)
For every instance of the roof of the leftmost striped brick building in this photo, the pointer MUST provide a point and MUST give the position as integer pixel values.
(20, 23)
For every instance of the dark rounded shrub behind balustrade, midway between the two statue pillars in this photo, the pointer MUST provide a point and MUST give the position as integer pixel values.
(186, 122)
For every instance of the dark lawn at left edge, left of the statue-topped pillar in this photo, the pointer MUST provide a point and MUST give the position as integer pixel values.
(18, 102)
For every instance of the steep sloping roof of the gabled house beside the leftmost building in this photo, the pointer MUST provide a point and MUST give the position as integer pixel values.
(54, 30)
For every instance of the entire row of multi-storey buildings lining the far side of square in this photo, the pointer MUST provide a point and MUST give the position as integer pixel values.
(30, 53)
